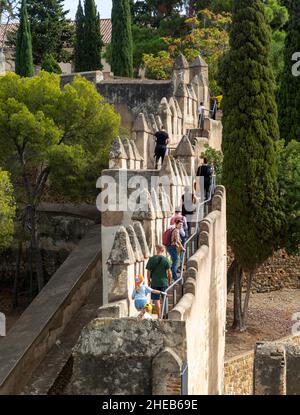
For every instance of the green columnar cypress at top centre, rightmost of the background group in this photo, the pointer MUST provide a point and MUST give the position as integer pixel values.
(121, 43)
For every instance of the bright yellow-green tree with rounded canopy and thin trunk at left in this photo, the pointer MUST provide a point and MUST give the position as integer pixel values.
(52, 134)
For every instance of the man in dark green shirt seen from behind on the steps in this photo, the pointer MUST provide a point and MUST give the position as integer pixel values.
(159, 274)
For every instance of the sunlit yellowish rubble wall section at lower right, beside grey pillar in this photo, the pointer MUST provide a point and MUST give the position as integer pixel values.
(238, 375)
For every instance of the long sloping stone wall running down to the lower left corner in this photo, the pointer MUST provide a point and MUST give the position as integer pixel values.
(39, 327)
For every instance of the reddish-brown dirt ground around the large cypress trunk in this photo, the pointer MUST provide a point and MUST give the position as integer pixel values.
(270, 318)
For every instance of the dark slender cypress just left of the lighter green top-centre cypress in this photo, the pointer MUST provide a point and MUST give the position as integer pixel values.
(92, 37)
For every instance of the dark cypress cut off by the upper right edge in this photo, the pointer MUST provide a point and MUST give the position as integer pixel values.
(289, 91)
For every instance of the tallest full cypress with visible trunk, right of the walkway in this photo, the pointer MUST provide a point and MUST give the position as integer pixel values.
(249, 145)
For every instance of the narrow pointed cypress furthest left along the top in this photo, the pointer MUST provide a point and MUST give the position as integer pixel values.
(24, 61)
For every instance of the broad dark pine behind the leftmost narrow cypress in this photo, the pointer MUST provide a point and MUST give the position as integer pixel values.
(52, 32)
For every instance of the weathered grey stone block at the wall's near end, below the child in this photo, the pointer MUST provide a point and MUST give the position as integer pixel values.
(114, 356)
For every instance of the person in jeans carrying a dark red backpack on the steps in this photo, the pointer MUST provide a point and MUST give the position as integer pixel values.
(173, 244)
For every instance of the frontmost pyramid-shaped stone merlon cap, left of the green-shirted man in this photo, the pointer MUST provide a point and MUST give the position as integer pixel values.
(121, 252)
